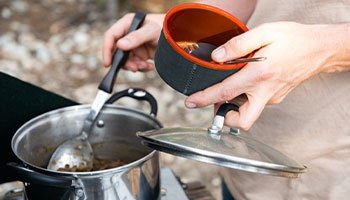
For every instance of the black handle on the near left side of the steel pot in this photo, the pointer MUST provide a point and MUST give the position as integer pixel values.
(29, 176)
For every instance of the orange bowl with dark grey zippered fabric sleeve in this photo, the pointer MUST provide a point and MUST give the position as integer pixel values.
(194, 23)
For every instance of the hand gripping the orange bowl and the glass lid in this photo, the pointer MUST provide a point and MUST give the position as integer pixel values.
(294, 52)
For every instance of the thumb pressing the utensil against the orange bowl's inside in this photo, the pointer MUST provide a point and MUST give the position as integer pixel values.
(240, 45)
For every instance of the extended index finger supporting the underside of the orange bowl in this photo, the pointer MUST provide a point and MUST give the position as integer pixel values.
(227, 90)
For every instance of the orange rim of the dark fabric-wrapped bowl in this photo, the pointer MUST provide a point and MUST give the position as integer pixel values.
(187, 55)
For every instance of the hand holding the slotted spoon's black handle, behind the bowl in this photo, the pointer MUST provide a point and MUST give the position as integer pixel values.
(142, 43)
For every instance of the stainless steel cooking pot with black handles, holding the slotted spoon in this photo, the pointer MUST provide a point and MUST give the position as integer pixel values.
(112, 137)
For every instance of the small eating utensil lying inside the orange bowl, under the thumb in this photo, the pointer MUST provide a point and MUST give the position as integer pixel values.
(203, 50)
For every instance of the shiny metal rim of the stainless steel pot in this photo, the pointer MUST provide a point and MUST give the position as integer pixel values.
(79, 107)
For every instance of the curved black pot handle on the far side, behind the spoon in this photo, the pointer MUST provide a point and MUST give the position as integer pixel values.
(138, 94)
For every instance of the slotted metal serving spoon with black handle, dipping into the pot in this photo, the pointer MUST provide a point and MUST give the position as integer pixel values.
(76, 154)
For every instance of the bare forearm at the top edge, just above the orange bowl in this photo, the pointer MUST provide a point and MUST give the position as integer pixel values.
(242, 9)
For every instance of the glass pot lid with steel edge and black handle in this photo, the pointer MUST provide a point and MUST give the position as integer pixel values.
(225, 148)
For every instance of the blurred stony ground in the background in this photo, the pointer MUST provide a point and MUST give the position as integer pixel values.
(57, 45)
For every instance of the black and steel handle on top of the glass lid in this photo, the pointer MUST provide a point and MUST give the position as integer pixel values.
(218, 122)
